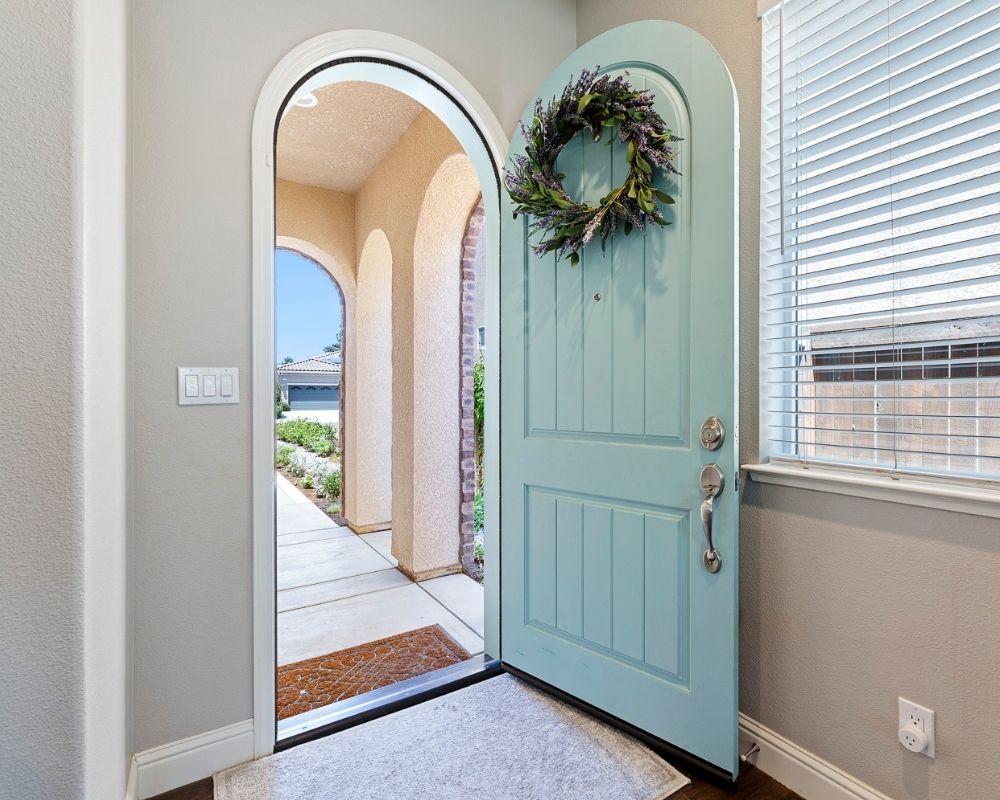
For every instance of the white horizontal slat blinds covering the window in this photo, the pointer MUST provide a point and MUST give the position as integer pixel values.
(880, 225)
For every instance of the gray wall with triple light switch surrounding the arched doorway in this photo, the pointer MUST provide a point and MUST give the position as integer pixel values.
(197, 70)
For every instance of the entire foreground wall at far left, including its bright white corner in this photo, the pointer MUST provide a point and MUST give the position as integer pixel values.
(63, 538)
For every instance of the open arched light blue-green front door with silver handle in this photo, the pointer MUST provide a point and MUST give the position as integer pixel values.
(607, 373)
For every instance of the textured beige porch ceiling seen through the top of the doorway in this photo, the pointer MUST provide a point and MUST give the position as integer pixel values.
(338, 142)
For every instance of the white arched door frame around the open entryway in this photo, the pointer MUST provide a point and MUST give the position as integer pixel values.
(412, 69)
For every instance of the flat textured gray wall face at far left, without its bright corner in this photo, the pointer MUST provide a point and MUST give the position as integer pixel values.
(41, 571)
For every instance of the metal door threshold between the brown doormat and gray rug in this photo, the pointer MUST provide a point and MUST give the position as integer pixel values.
(371, 705)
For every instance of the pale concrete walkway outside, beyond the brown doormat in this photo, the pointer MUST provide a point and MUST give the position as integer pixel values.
(338, 589)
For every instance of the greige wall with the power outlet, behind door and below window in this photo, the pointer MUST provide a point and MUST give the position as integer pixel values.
(847, 604)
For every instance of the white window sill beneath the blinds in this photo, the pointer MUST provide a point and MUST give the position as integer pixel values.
(975, 499)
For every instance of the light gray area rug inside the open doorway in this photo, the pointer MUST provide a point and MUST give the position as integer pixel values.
(496, 739)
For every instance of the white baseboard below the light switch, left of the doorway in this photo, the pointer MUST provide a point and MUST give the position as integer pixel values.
(178, 763)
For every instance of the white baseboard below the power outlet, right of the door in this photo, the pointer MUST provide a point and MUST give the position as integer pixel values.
(801, 771)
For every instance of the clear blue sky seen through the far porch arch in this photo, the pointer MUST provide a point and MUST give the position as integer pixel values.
(308, 307)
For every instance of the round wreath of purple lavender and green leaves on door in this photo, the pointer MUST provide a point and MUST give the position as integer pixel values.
(593, 102)
